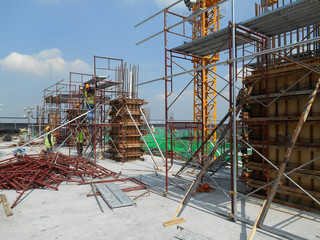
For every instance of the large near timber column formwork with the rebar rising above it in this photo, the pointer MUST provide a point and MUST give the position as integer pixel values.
(282, 84)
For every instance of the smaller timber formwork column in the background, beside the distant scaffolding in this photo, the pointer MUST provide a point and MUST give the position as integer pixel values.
(125, 143)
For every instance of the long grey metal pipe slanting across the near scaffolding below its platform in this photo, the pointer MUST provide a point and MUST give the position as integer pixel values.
(237, 60)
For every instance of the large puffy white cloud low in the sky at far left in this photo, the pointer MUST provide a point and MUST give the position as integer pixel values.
(39, 64)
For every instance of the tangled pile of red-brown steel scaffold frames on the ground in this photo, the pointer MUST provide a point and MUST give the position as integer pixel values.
(47, 170)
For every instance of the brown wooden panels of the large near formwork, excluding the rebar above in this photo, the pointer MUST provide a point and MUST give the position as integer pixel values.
(282, 117)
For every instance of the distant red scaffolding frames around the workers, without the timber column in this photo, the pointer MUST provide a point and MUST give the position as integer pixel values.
(66, 101)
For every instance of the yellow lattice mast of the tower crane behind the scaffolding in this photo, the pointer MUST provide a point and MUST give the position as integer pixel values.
(205, 81)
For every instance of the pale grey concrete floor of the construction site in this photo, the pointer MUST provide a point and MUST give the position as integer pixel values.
(70, 214)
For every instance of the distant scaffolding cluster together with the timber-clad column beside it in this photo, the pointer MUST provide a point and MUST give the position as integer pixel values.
(105, 124)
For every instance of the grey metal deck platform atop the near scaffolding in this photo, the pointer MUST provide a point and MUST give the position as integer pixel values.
(290, 17)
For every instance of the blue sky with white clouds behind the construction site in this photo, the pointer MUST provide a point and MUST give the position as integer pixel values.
(66, 34)
